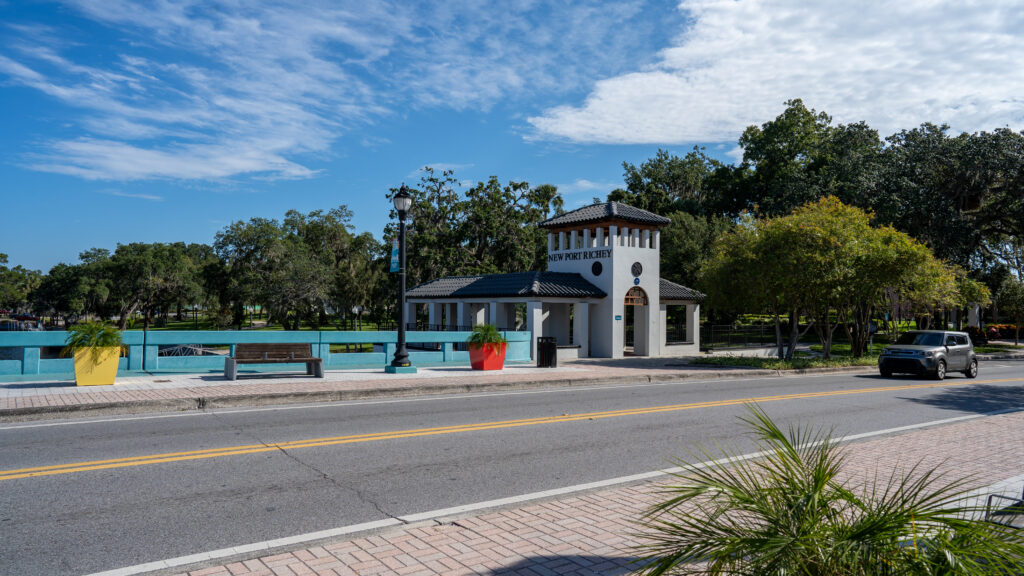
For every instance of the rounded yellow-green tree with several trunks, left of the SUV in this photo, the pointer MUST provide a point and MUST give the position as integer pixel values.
(825, 262)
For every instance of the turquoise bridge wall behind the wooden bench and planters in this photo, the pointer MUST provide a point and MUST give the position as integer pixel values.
(144, 350)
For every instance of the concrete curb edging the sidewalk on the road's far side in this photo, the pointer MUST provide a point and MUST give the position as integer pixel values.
(200, 402)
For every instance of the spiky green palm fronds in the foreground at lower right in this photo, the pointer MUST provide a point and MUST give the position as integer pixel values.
(791, 513)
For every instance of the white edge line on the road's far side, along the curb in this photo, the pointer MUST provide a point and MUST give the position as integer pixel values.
(433, 398)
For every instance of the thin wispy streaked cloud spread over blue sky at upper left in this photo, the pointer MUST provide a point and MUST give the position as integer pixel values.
(222, 89)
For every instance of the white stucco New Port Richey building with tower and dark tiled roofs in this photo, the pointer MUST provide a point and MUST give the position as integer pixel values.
(602, 297)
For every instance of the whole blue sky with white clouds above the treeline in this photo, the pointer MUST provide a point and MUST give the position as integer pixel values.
(165, 121)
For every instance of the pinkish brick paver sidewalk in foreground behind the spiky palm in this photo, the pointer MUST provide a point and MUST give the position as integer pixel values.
(594, 533)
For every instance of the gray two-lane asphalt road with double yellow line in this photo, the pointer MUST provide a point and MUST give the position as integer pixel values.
(356, 463)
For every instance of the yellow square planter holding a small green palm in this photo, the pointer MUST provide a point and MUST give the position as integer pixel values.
(97, 349)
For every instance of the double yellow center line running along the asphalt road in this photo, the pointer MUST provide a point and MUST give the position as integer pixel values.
(394, 435)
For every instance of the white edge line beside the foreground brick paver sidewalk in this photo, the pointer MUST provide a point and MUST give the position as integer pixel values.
(489, 505)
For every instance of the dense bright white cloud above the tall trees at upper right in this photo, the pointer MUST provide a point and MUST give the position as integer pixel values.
(894, 65)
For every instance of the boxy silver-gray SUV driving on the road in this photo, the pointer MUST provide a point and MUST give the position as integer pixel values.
(930, 352)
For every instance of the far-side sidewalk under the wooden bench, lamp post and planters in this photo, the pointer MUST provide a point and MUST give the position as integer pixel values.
(191, 392)
